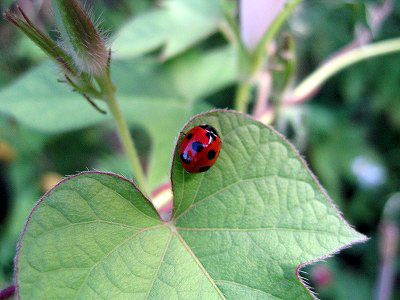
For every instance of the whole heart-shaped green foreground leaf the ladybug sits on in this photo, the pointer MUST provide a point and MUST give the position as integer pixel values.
(240, 230)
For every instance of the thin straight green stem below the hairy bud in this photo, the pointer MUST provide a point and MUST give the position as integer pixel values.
(123, 130)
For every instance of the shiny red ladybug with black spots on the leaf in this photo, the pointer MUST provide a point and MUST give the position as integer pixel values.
(200, 149)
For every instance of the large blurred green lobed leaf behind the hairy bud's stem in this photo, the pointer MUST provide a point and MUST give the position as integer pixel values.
(158, 97)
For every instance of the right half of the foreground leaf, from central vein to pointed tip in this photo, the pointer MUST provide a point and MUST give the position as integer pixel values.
(257, 214)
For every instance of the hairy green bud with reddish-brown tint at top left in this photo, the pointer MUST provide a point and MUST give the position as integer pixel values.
(80, 37)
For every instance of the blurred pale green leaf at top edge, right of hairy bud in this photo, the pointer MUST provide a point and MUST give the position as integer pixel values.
(176, 26)
